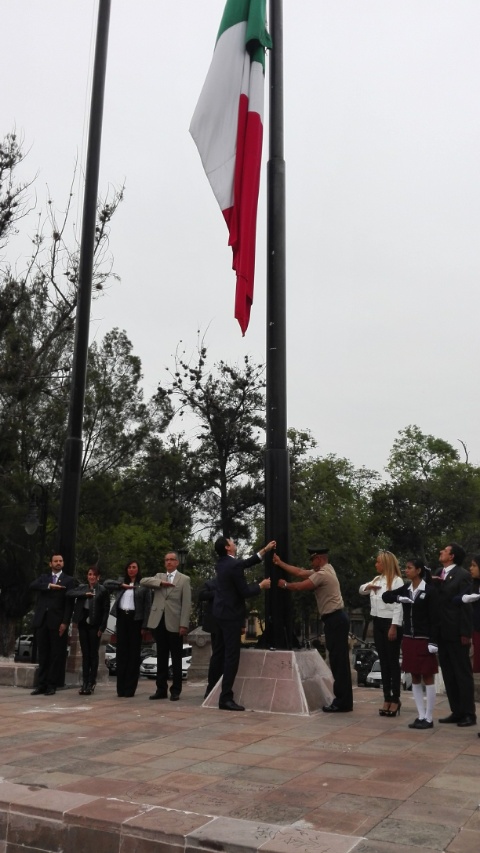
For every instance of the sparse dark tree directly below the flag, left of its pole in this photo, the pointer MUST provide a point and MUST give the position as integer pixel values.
(227, 404)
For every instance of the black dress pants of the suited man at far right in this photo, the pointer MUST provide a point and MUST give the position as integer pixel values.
(454, 659)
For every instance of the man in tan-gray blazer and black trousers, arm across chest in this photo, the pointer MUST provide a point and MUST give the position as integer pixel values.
(169, 620)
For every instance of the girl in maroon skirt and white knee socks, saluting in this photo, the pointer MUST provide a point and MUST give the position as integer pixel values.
(419, 643)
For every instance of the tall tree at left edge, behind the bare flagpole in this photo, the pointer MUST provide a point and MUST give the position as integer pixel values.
(37, 308)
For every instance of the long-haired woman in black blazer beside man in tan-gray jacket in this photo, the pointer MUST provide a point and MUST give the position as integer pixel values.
(131, 608)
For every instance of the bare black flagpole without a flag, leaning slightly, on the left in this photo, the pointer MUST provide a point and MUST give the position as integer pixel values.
(72, 464)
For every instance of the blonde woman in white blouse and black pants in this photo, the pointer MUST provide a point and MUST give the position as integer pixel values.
(387, 628)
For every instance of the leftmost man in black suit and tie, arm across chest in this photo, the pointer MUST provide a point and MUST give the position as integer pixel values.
(52, 615)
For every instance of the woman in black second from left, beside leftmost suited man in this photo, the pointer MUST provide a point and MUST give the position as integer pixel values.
(90, 614)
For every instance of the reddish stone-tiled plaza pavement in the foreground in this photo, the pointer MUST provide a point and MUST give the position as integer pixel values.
(325, 783)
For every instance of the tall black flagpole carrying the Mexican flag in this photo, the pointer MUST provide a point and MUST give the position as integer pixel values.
(277, 475)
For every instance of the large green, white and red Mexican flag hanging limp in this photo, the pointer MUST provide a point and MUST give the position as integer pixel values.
(227, 127)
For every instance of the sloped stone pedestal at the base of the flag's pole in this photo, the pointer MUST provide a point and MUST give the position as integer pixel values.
(282, 682)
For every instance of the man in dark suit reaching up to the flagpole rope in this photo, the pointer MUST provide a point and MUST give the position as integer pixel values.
(229, 612)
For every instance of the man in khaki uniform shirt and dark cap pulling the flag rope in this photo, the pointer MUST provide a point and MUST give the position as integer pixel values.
(322, 580)
